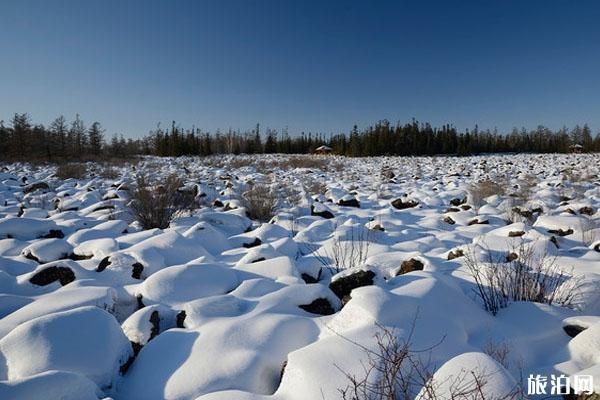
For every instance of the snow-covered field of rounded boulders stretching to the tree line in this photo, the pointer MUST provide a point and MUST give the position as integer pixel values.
(219, 306)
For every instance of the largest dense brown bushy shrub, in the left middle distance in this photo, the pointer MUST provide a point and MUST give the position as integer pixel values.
(155, 206)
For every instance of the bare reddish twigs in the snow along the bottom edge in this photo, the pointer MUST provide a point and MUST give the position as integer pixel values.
(396, 371)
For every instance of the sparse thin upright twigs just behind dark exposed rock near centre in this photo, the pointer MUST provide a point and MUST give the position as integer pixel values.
(346, 253)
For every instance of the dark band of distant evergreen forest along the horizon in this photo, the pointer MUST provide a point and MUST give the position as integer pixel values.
(21, 139)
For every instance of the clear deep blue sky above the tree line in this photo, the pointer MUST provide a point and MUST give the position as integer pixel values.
(309, 65)
